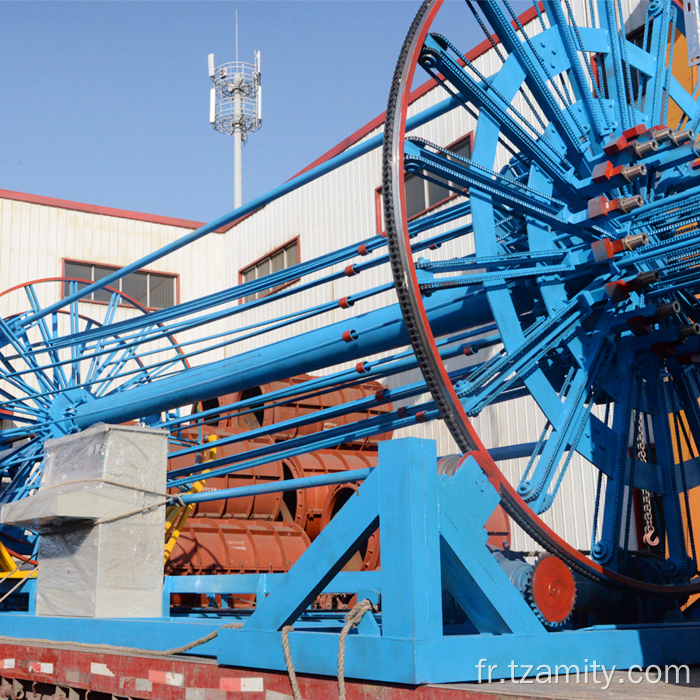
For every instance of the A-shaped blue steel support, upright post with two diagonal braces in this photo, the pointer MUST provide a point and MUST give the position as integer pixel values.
(431, 533)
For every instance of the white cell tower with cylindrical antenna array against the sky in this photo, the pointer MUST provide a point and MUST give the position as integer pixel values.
(235, 106)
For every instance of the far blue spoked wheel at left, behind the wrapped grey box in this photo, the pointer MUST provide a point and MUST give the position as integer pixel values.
(62, 360)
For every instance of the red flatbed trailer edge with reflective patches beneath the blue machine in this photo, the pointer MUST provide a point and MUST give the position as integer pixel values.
(45, 672)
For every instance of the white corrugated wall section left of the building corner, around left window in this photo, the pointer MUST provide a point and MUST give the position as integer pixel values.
(36, 238)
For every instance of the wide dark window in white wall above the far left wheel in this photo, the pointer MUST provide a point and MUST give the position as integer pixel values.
(153, 290)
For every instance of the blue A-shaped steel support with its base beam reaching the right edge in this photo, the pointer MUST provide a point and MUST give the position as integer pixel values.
(432, 535)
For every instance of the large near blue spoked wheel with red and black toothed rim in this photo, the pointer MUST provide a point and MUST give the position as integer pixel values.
(578, 221)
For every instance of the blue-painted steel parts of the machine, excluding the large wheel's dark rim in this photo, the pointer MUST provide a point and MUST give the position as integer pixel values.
(432, 527)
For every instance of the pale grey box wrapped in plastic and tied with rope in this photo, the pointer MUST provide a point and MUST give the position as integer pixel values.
(100, 513)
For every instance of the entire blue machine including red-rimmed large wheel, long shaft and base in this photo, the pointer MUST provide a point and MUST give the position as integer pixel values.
(583, 279)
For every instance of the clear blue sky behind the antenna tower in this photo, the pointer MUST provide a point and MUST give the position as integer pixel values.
(108, 102)
